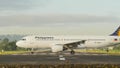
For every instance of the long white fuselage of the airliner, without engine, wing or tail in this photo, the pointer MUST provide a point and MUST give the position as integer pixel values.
(48, 41)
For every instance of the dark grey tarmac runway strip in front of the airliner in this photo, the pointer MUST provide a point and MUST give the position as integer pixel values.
(60, 59)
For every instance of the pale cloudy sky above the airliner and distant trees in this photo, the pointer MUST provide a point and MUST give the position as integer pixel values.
(78, 17)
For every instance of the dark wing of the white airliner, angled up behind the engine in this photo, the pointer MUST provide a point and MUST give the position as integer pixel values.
(73, 44)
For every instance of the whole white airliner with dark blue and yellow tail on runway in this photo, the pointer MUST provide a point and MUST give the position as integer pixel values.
(62, 43)
